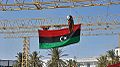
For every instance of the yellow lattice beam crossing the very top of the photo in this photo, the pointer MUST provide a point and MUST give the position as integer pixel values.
(14, 5)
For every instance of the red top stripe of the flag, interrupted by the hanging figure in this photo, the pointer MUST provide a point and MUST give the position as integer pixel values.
(54, 33)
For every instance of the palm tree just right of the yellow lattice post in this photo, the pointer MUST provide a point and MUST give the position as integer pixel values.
(35, 60)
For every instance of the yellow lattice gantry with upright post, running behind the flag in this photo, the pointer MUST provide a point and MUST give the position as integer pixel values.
(27, 28)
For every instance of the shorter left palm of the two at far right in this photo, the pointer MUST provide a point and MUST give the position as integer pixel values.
(102, 61)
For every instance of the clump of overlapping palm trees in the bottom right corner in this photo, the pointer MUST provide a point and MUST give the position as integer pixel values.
(109, 58)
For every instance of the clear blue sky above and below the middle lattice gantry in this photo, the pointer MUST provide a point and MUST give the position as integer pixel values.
(89, 46)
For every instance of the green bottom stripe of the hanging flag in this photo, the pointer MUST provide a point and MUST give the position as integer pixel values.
(59, 44)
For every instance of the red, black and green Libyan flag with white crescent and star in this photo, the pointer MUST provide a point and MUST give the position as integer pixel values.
(58, 38)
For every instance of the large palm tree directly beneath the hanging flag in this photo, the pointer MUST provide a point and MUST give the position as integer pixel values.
(55, 60)
